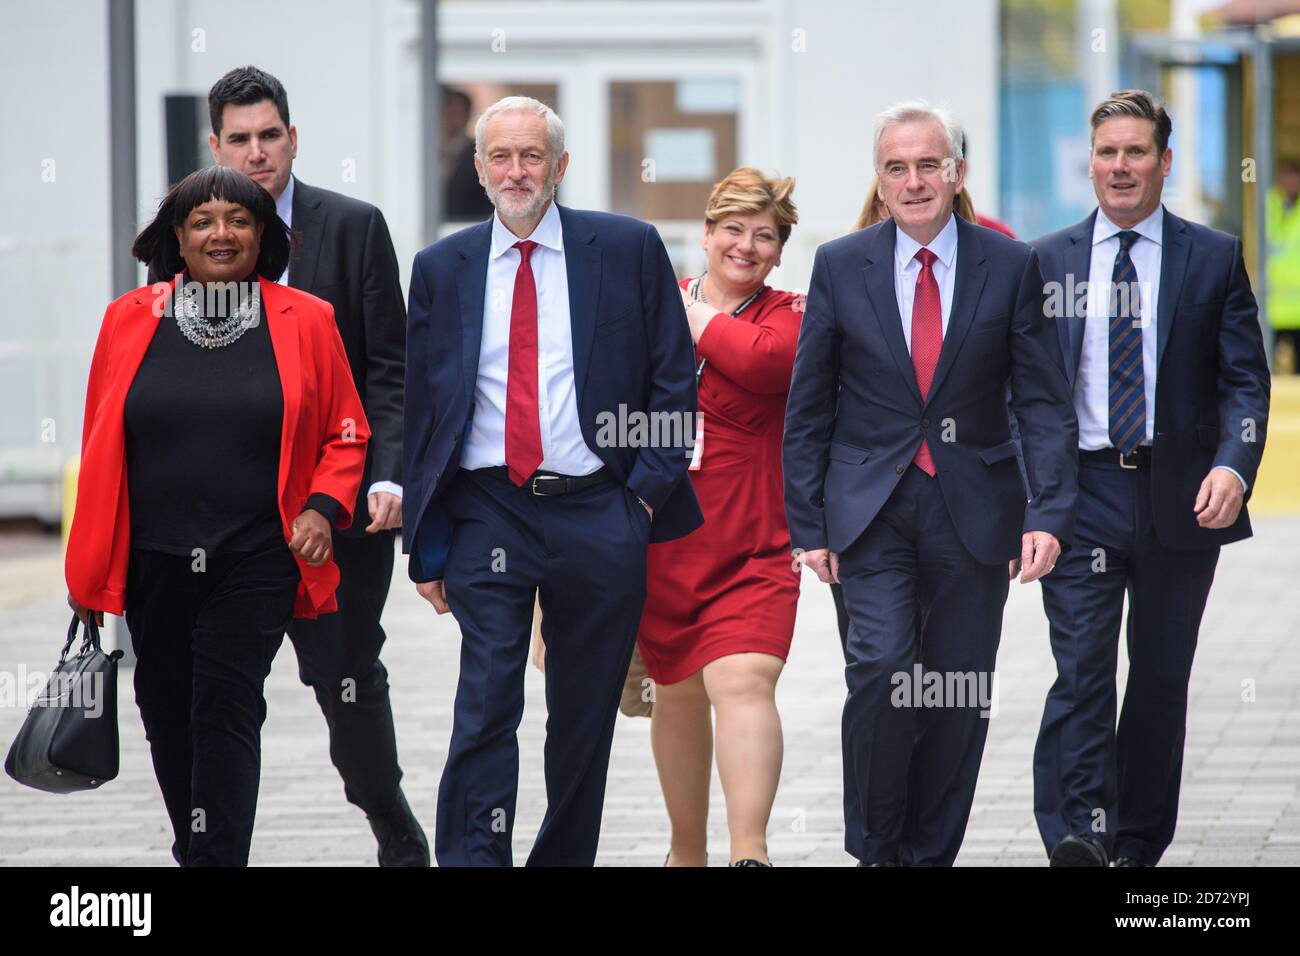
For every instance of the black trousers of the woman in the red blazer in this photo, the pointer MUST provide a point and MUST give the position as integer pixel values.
(205, 635)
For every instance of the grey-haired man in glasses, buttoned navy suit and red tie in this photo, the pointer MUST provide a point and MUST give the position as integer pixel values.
(902, 479)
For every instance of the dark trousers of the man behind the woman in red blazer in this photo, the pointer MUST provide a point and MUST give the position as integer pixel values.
(339, 657)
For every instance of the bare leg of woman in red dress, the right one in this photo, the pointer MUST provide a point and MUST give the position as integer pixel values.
(743, 689)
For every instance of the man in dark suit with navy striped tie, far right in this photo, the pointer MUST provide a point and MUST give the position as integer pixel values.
(1171, 384)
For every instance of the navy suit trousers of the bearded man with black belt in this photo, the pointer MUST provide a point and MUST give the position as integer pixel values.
(586, 556)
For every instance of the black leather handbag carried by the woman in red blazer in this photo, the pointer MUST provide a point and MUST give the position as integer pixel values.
(68, 742)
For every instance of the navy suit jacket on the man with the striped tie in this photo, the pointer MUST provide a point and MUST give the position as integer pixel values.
(1212, 375)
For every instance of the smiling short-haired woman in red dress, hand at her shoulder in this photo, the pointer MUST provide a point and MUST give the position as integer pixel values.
(721, 603)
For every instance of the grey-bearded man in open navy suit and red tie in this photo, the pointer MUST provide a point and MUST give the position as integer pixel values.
(528, 335)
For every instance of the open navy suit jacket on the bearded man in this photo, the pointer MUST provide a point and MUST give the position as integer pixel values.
(632, 354)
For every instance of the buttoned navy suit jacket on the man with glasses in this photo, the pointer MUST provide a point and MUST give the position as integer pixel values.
(856, 417)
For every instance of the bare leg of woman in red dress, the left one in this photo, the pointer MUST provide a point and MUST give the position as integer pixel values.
(682, 738)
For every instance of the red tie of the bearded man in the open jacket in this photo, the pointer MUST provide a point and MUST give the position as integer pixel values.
(523, 430)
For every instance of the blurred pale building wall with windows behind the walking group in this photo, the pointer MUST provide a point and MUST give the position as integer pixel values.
(661, 98)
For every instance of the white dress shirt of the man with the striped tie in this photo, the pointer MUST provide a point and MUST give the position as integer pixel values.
(1093, 384)
